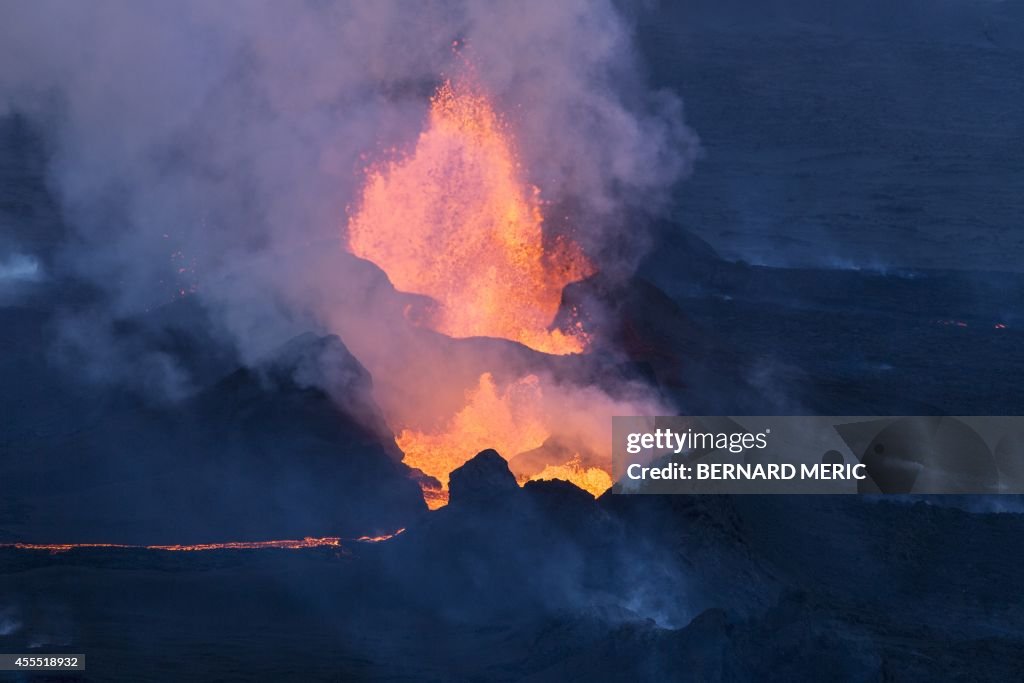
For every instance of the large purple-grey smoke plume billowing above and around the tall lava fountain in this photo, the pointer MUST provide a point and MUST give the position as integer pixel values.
(208, 150)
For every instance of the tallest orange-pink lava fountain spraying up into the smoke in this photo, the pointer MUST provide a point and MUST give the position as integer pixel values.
(456, 222)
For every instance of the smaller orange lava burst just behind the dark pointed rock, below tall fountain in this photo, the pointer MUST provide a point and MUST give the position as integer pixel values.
(506, 421)
